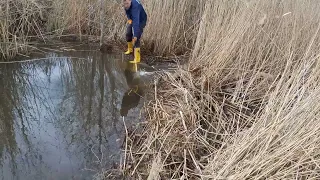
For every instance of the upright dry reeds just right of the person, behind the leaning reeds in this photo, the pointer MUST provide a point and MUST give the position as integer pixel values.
(172, 25)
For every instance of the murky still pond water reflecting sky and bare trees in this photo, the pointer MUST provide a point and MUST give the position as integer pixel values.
(61, 117)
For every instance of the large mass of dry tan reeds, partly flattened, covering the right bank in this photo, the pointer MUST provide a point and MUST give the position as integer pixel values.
(246, 105)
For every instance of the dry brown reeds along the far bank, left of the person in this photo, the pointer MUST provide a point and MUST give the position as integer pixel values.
(30, 20)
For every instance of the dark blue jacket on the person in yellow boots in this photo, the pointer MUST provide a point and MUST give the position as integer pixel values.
(138, 16)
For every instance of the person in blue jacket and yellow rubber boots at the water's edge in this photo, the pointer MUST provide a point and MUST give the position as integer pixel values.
(137, 20)
